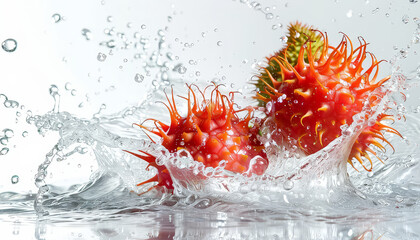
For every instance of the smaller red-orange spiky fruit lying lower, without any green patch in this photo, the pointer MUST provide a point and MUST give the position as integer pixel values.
(211, 132)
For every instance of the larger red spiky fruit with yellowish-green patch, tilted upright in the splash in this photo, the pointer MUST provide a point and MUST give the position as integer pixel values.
(313, 98)
